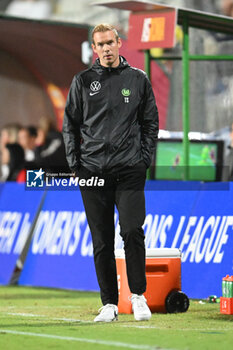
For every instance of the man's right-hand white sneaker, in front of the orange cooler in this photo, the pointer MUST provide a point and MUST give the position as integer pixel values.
(140, 308)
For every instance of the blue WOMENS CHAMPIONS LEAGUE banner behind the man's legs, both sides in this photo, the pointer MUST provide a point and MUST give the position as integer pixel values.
(195, 217)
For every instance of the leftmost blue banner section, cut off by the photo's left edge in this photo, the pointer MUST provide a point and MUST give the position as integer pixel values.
(17, 212)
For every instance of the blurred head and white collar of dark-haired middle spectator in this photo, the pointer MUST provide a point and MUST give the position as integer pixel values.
(27, 139)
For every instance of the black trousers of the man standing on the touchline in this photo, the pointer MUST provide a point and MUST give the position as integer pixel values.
(125, 189)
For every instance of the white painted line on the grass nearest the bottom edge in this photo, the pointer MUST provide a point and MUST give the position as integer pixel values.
(85, 340)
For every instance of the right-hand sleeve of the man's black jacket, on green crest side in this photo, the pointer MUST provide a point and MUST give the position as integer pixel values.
(149, 121)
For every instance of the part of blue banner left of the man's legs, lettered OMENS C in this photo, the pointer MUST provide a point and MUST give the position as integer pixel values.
(61, 252)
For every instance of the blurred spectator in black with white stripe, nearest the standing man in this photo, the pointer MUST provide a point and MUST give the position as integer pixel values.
(50, 150)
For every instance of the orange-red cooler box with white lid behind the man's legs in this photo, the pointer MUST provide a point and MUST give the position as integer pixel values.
(163, 273)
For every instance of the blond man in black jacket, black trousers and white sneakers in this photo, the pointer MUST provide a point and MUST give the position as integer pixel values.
(110, 129)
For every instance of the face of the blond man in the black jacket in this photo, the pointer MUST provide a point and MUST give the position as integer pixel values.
(107, 48)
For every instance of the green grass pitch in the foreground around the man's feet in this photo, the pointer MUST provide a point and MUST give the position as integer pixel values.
(58, 319)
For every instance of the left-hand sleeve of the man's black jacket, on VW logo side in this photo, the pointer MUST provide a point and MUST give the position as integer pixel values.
(71, 125)
